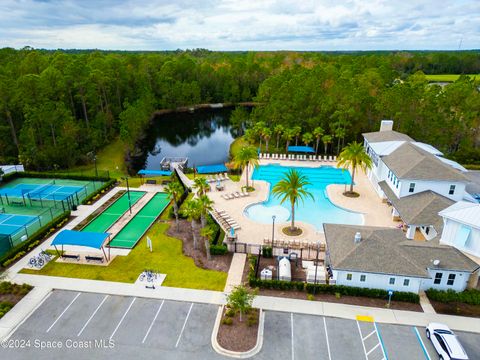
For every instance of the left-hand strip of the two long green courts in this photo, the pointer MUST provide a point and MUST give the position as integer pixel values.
(114, 212)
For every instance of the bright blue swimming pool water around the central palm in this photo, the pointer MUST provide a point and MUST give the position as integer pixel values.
(316, 212)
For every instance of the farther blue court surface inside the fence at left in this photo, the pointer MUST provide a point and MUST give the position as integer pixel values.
(48, 191)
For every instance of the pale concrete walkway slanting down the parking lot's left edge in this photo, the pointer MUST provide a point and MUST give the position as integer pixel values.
(22, 311)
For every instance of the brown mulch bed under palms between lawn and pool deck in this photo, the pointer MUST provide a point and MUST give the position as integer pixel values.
(184, 233)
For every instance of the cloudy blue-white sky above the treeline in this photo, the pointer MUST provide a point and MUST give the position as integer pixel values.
(241, 25)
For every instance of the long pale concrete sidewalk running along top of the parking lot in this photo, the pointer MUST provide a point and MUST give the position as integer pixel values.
(344, 311)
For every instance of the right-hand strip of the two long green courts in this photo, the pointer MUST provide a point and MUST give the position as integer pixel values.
(134, 230)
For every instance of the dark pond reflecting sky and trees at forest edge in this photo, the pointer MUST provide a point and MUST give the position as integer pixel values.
(203, 136)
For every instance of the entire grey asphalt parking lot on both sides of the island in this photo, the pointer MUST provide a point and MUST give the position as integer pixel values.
(70, 325)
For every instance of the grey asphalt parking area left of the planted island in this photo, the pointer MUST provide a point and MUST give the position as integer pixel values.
(70, 325)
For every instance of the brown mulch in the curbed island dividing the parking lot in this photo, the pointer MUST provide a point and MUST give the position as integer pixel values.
(238, 336)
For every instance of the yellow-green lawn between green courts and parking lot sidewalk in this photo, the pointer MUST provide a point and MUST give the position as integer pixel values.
(166, 258)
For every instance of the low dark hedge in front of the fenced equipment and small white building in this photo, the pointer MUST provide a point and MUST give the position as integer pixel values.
(326, 289)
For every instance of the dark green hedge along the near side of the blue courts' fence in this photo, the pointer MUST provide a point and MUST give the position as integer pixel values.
(44, 232)
